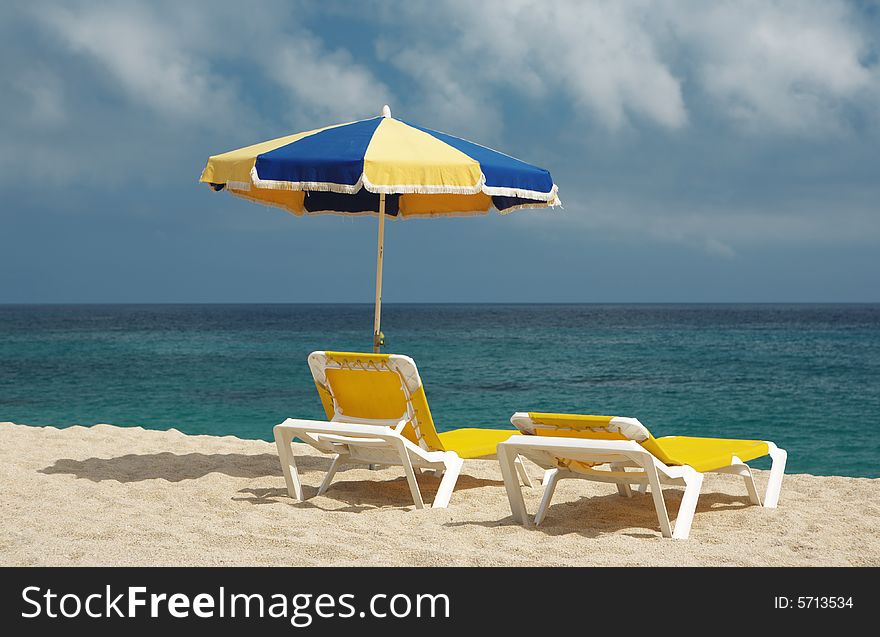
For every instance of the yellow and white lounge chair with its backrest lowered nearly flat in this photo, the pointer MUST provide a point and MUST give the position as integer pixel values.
(573, 446)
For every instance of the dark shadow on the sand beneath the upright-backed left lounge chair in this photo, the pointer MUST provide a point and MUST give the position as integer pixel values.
(363, 495)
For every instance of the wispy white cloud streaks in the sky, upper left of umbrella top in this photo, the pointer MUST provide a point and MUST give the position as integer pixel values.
(171, 58)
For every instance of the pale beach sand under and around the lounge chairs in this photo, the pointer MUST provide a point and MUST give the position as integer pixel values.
(108, 495)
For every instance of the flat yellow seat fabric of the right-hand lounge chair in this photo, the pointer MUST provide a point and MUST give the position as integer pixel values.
(704, 454)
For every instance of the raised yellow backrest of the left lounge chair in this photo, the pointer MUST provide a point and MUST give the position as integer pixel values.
(378, 389)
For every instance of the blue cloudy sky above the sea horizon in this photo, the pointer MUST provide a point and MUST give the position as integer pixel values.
(704, 152)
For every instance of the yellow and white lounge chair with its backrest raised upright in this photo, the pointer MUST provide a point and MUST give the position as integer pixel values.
(378, 415)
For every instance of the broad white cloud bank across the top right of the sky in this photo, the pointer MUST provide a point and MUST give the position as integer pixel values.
(790, 67)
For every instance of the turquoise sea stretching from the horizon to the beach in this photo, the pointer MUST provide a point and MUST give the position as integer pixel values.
(805, 376)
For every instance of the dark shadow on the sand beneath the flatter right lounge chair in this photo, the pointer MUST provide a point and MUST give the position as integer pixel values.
(596, 516)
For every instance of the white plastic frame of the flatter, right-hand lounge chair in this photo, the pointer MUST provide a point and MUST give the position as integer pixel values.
(620, 455)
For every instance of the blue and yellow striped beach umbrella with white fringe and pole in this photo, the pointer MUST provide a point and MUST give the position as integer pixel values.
(380, 166)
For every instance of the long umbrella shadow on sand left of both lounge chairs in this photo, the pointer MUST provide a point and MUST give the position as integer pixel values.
(176, 467)
